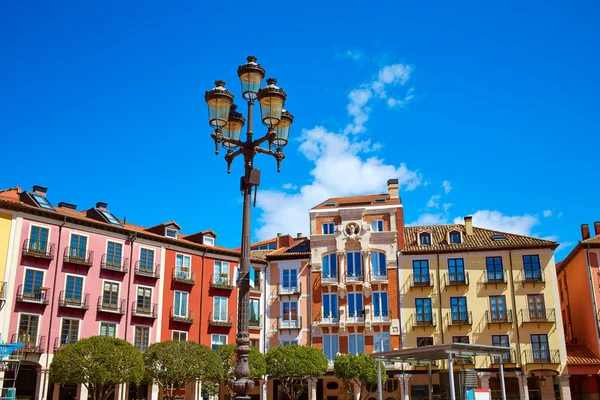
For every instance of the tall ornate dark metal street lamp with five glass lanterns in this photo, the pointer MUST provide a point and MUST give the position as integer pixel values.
(228, 123)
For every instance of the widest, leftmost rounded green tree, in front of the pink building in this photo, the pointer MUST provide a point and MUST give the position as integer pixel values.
(99, 363)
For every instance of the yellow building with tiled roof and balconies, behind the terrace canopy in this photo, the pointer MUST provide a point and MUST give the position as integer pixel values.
(460, 283)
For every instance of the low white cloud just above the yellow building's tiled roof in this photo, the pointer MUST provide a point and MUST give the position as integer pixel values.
(495, 220)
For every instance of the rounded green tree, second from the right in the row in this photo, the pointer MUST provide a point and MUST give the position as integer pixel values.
(294, 365)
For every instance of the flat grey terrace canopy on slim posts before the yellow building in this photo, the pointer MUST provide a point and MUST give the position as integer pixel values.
(428, 355)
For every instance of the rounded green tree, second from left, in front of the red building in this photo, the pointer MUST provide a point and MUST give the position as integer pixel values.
(172, 365)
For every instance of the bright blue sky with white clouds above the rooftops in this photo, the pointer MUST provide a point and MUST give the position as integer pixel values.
(477, 108)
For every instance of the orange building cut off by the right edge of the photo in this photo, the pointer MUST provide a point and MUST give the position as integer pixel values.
(579, 291)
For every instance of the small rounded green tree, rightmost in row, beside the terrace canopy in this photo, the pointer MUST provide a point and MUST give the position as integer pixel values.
(356, 371)
